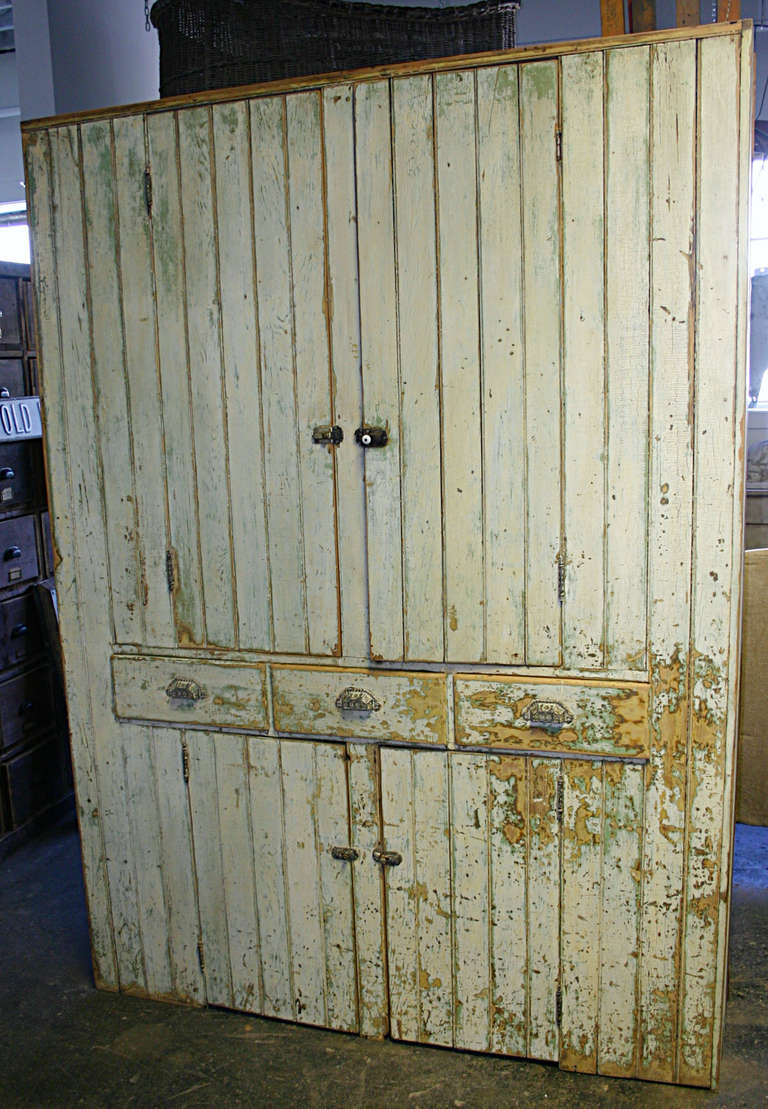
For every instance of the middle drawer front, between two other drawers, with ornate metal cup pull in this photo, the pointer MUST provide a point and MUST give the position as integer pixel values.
(402, 707)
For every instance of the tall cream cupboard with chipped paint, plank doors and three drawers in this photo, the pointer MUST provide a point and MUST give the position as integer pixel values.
(395, 431)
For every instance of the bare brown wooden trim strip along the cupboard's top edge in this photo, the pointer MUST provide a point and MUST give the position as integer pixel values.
(743, 28)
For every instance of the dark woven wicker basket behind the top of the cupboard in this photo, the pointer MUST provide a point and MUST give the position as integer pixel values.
(218, 44)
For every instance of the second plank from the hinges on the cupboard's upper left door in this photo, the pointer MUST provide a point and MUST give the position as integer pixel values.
(204, 323)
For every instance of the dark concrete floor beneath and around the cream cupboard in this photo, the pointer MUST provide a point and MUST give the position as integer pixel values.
(64, 1044)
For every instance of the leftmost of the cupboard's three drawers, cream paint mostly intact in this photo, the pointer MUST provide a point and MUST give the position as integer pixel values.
(178, 691)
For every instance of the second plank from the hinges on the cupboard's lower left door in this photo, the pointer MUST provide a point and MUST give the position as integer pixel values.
(238, 872)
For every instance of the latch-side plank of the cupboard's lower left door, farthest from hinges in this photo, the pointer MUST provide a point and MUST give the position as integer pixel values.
(336, 878)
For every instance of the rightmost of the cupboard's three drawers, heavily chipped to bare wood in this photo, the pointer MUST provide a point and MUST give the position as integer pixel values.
(609, 719)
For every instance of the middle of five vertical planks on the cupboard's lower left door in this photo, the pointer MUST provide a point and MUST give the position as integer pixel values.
(267, 821)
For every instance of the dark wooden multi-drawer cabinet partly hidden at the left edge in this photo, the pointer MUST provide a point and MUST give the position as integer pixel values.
(36, 779)
